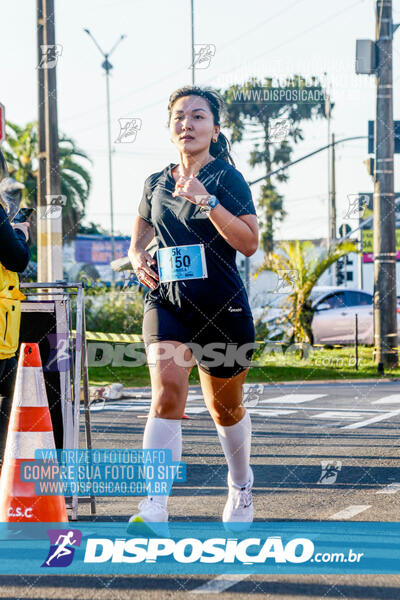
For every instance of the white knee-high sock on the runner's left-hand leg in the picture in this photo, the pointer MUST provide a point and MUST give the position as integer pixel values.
(161, 434)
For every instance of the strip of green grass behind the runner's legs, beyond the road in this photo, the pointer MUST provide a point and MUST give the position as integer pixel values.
(319, 364)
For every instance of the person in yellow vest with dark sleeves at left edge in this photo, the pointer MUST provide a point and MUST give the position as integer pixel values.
(14, 258)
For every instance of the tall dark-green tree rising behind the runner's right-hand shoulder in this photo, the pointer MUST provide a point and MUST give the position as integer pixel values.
(260, 108)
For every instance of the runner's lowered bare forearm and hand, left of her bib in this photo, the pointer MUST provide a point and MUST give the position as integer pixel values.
(141, 260)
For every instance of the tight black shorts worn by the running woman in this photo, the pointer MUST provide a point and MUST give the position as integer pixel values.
(222, 345)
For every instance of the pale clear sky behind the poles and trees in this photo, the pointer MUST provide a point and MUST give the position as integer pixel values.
(253, 38)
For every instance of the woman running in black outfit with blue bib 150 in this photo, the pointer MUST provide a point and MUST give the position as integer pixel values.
(200, 212)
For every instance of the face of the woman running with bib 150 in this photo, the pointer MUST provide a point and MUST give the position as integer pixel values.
(192, 124)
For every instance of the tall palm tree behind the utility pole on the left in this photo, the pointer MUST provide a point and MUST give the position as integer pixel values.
(21, 150)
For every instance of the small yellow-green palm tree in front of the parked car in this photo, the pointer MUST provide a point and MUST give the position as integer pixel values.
(299, 266)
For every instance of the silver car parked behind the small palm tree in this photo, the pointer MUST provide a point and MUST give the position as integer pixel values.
(334, 316)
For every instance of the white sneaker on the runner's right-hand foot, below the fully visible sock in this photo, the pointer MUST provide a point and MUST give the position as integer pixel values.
(238, 511)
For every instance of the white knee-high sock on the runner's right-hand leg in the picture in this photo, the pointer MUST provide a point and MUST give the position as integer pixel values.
(236, 444)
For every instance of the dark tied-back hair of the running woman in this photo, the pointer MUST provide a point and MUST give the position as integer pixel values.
(221, 148)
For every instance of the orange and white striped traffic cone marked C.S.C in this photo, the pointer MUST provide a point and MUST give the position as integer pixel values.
(30, 429)
